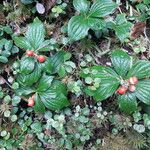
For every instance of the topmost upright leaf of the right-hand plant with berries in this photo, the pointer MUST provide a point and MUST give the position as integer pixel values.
(121, 62)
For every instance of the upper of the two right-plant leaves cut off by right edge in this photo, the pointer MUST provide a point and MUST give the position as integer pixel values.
(140, 69)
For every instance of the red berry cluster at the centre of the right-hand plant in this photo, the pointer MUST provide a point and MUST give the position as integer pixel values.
(131, 86)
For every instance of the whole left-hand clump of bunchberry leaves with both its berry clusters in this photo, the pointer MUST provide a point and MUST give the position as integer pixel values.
(36, 74)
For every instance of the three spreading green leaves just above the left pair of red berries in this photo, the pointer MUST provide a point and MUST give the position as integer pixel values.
(34, 39)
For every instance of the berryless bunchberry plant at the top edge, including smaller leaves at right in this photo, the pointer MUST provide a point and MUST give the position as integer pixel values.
(92, 17)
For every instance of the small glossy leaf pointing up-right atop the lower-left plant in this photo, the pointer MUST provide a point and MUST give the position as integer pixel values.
(44, 83)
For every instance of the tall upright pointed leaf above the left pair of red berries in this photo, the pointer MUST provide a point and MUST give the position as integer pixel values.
(36, 33)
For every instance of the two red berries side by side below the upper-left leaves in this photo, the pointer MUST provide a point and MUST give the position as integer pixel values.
(40, 58)
